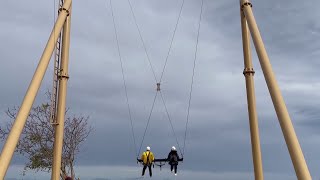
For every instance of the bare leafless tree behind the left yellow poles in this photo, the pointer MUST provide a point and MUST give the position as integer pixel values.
(36, 141)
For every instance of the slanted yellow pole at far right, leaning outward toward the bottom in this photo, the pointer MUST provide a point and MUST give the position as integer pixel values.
(290, 136)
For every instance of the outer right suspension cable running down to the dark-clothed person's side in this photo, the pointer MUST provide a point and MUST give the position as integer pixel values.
(192, 79)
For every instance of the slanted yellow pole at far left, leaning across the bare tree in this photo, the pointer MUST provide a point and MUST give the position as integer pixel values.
(14, 135)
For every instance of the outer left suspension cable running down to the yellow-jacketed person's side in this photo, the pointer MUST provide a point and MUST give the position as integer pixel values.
(123, 77)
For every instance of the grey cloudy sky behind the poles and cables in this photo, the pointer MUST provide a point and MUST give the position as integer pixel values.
(218, 141)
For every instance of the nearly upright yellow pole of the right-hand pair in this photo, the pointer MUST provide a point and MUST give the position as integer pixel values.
(253, 118)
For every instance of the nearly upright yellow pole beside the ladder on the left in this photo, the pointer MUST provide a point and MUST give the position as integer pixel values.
(63, 78)
